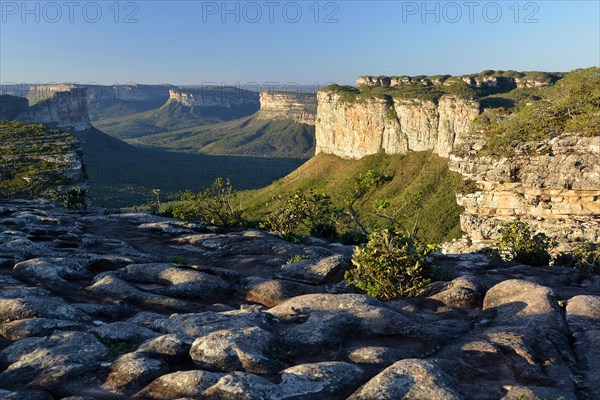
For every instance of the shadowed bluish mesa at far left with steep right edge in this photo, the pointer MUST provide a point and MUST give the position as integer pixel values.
(64, 109)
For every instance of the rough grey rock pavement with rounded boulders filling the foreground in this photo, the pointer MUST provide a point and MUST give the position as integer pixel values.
(90, 308)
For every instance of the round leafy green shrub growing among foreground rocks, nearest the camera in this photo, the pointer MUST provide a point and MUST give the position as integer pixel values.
(392, 264)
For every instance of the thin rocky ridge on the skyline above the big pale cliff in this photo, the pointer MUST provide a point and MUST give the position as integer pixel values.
(487, 79)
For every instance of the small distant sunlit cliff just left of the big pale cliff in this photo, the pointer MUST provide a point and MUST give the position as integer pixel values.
(301, 108)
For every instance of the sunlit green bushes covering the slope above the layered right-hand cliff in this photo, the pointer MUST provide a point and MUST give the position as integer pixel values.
(571, 105)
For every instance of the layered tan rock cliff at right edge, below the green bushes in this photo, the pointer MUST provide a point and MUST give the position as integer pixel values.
(557, 192)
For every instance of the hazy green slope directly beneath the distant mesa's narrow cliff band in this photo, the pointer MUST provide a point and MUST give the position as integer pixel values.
(171, 116)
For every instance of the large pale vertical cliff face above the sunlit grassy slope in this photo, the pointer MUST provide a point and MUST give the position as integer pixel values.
(395, 126)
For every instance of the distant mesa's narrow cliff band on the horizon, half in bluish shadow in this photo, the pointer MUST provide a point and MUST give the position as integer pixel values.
(213, 97)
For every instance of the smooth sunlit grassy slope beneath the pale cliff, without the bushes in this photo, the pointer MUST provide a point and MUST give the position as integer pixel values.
(422, 186)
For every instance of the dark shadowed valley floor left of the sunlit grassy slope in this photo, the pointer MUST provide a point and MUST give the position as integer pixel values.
(122, 175)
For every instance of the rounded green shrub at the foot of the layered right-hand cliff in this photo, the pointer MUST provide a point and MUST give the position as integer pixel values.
(517, 243)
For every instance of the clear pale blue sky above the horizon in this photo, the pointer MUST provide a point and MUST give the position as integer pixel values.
(195, 42)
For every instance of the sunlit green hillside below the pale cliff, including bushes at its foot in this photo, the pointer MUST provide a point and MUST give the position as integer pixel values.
(418, 186)
